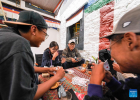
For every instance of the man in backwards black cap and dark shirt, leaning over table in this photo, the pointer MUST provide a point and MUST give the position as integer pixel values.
(16, 58)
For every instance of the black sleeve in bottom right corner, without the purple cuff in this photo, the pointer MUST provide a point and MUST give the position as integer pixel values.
(121, 91)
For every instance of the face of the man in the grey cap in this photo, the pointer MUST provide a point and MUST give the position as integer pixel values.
(125, 55)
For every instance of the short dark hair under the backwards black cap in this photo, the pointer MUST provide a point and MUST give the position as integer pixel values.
(26, 28)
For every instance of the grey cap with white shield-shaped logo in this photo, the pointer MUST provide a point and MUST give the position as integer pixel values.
(130, 22)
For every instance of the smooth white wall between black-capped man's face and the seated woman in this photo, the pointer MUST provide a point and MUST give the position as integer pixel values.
(53, 36)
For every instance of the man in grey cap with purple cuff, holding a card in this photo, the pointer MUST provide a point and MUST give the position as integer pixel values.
(125, 49)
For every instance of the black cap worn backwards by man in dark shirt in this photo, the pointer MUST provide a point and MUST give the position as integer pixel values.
(28, 18)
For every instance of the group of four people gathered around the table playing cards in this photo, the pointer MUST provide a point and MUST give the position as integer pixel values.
(17, 63)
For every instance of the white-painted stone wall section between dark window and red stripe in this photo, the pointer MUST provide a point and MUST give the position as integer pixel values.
(91, 35)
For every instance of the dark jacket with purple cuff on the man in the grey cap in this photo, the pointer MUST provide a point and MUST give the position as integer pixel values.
(120, 90)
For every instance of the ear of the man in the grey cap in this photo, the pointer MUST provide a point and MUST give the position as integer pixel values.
(131, 39)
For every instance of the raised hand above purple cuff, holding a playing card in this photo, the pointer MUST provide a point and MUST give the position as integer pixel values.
(97, 74)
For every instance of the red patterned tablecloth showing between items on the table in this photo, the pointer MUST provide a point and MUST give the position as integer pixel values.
(52, 94)
